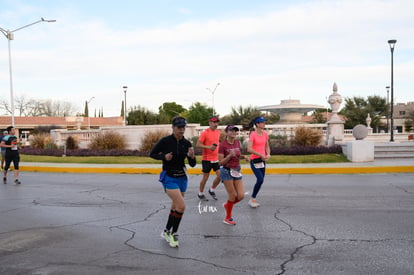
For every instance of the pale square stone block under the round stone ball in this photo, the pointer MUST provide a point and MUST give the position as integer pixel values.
(360, 151)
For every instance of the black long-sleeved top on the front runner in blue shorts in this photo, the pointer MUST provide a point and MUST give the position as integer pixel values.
(179, 149)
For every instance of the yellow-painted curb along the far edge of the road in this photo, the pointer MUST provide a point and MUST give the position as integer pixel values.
(246, 171)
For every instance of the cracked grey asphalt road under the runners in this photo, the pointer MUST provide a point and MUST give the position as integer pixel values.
(111, 223)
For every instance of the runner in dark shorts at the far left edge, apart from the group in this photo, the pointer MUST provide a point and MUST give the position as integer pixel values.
(10, 142)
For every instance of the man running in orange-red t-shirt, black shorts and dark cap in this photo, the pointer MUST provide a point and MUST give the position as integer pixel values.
(208, 141)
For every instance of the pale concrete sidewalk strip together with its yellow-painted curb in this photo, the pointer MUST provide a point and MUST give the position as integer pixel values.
(378, 166)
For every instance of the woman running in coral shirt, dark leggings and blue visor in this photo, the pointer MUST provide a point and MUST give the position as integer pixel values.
(260, 152)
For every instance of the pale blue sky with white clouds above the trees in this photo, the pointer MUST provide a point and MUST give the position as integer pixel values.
(260, 52)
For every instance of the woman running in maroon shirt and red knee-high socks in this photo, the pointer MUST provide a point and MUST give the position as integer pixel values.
(229, 156)
